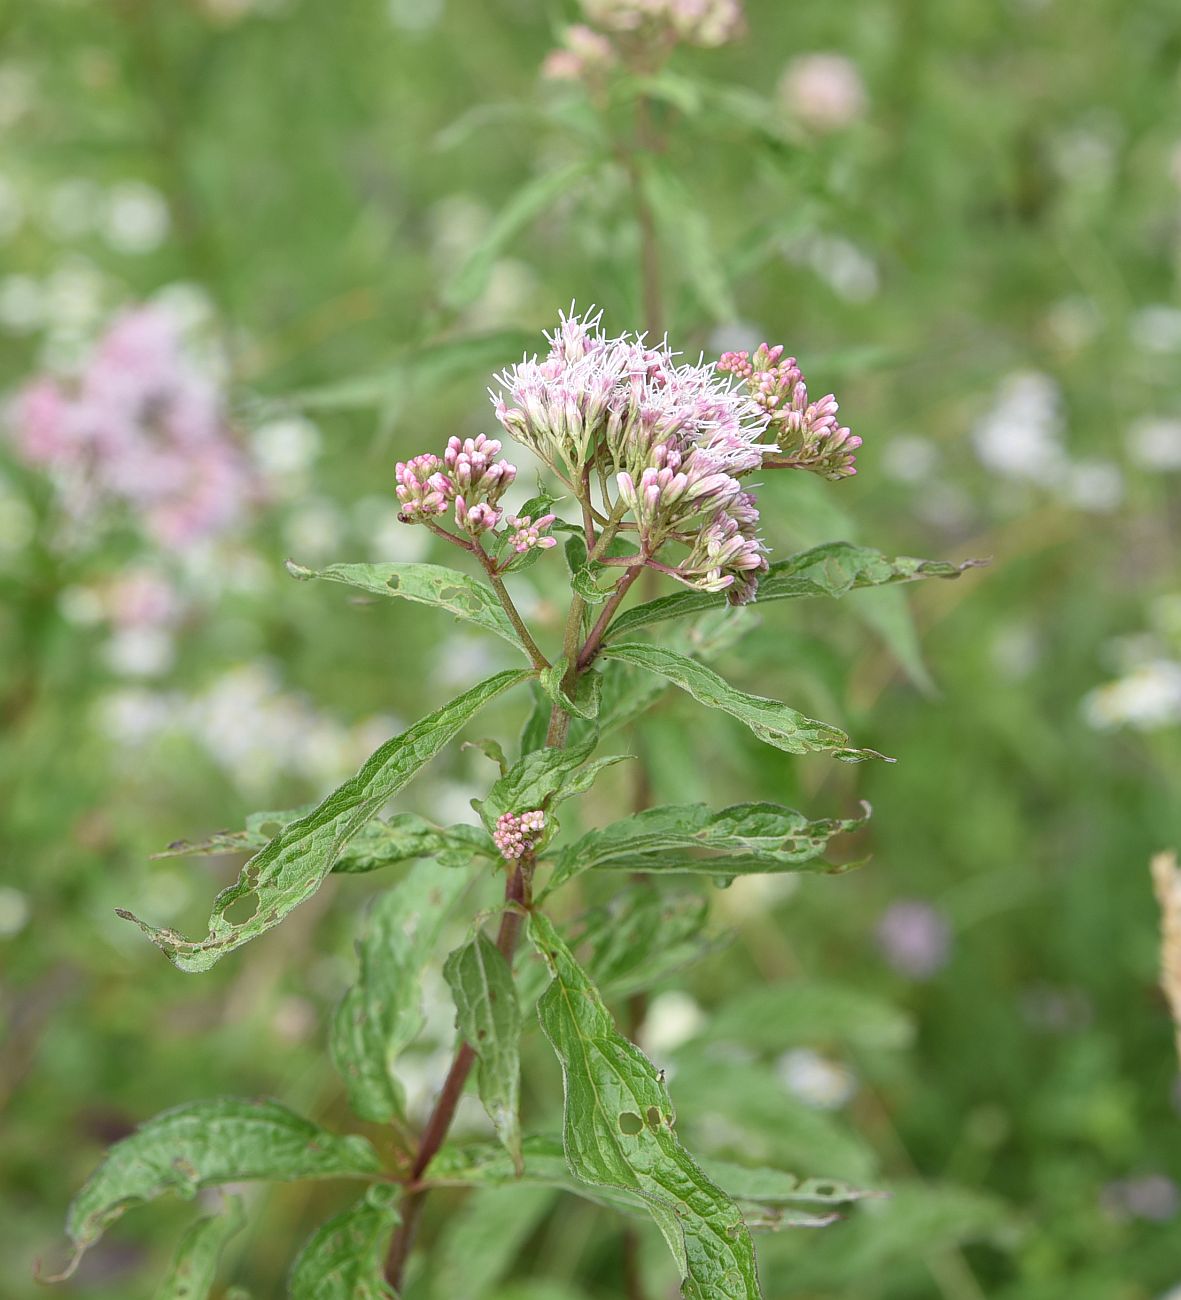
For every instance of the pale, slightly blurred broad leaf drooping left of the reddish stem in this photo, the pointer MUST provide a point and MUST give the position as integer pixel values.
(383, 1013)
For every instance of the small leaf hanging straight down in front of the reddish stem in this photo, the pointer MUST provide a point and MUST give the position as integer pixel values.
(488, 1019)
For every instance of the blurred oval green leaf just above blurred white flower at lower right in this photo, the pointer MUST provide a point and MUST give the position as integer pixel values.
(810, 1012)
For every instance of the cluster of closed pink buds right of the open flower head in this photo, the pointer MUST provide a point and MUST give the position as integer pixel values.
(807, 434)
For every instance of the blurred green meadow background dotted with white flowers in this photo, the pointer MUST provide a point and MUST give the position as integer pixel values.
(362, 210)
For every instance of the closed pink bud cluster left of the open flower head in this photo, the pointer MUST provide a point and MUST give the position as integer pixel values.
(469, 476)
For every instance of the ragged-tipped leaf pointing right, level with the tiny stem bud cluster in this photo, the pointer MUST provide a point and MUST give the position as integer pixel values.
(749, 838)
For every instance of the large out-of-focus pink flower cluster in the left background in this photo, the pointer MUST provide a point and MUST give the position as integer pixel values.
(140, 431)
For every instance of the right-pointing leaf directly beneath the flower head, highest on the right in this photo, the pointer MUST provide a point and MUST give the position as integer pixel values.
(829, 570)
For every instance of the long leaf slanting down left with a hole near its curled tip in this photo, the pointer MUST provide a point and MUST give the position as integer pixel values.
(293, 865)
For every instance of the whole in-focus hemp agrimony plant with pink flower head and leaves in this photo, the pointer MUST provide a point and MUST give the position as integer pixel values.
(654, 467)
